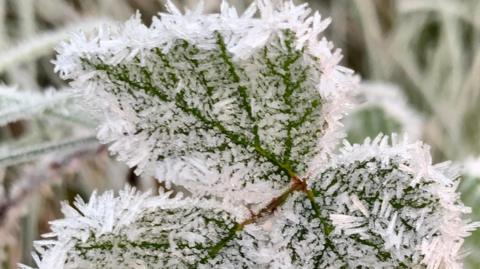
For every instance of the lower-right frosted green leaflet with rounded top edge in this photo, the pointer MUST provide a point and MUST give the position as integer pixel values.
(376, 206)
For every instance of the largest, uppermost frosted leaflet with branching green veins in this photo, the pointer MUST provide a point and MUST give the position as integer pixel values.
(226, 105)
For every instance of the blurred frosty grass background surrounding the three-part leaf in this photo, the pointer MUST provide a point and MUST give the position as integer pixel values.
(419, 60)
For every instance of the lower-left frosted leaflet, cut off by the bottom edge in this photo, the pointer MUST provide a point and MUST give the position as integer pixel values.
(135, 230)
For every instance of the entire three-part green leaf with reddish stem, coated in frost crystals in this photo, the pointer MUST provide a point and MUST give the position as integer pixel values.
(244, 110)
